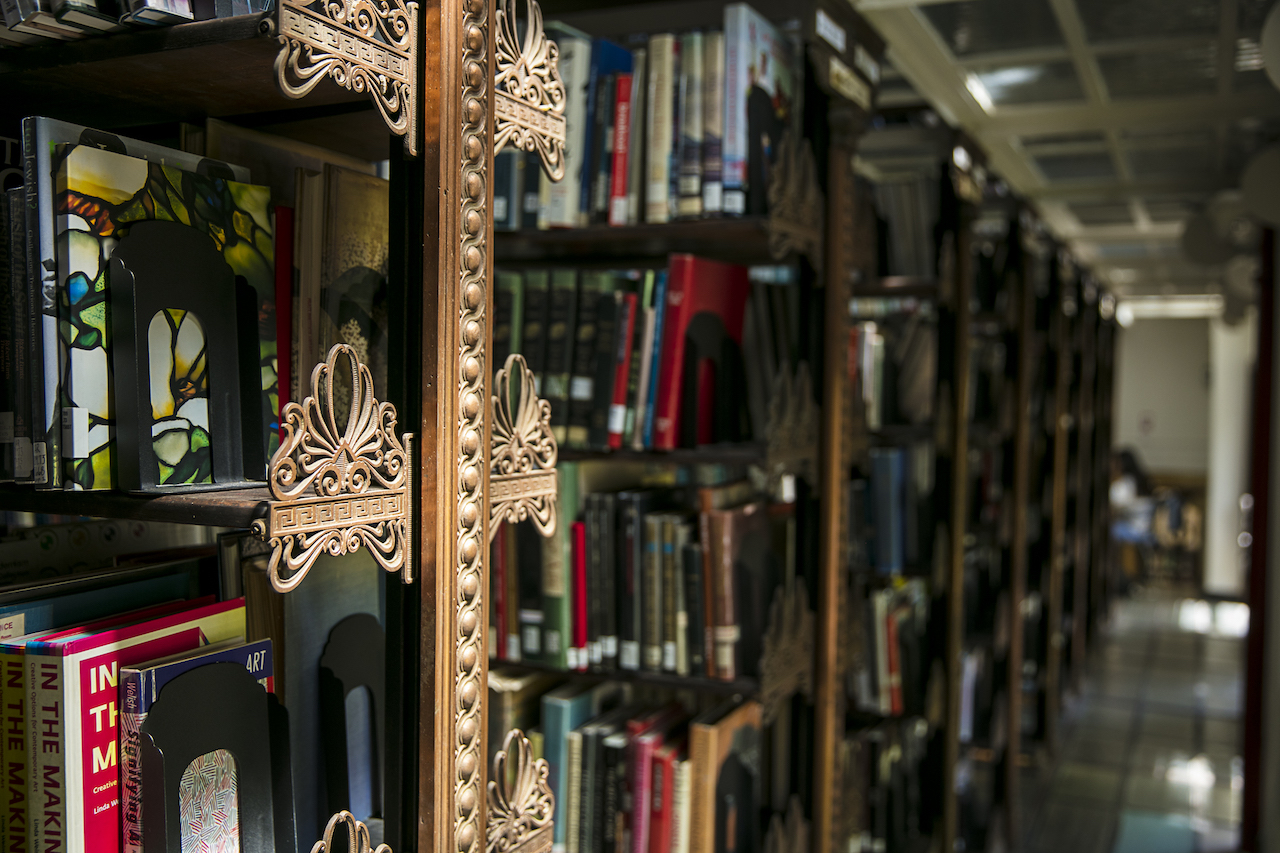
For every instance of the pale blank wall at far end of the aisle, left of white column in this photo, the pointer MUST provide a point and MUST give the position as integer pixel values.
(1162, 405)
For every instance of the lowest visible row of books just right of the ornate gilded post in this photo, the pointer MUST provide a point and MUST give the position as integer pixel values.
(637, 777)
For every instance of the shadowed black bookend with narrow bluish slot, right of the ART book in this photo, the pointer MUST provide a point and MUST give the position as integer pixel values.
(354, 658)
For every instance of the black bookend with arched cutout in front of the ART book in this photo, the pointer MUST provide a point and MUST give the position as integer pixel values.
(217, 708)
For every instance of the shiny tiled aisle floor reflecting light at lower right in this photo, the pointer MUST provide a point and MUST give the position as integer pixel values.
(1150, 755)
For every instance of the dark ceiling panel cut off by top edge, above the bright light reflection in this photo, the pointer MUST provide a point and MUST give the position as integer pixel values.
(986, 26)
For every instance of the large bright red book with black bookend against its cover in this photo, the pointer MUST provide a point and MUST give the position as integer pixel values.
(711, 298)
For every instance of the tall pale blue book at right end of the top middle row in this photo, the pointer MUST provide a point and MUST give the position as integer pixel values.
(760, 101)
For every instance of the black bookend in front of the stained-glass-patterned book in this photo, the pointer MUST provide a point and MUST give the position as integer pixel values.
(184, 422)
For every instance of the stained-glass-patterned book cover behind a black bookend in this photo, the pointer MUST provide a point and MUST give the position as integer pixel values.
(99, 195)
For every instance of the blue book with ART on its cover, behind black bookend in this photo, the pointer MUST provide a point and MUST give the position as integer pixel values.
(140, 688)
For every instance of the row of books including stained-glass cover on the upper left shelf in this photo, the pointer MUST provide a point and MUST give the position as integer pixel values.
(67, 327)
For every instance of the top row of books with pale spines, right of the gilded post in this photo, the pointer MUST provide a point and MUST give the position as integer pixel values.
(683, 127)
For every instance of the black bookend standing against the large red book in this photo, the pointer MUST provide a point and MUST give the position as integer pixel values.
(707, 341)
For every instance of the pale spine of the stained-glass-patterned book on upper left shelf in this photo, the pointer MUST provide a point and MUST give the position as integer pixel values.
(47, 425)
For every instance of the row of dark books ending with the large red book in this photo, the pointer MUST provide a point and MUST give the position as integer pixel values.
(650, 359)
